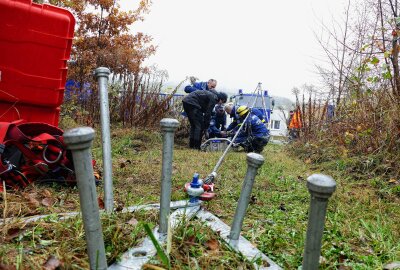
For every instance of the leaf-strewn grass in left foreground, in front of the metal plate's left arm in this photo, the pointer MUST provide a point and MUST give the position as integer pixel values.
(30, 245)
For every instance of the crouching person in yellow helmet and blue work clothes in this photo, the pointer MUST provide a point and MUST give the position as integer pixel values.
(254, 134)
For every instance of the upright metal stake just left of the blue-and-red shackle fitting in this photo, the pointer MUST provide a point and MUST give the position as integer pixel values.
(168, 127)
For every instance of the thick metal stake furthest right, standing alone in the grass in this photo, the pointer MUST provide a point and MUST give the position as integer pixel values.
(321, 187)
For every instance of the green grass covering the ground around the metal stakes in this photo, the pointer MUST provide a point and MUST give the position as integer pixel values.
(362, 224)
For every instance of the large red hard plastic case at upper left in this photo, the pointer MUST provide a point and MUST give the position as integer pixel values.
(35, 44)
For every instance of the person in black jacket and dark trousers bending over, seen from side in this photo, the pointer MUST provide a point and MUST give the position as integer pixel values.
(198, 106)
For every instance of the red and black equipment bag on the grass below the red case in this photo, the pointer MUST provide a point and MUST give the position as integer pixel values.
(33, 152)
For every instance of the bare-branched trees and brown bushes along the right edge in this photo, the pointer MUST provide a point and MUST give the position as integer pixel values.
(355, 117)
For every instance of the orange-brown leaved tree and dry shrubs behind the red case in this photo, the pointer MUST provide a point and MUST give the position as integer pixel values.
(105, 37)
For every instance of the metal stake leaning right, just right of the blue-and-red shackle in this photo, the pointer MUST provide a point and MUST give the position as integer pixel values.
(254, 161)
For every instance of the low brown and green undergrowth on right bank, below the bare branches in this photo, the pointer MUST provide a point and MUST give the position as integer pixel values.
(364, 134)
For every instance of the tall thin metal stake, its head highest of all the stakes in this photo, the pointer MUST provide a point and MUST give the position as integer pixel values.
(102, 74)
